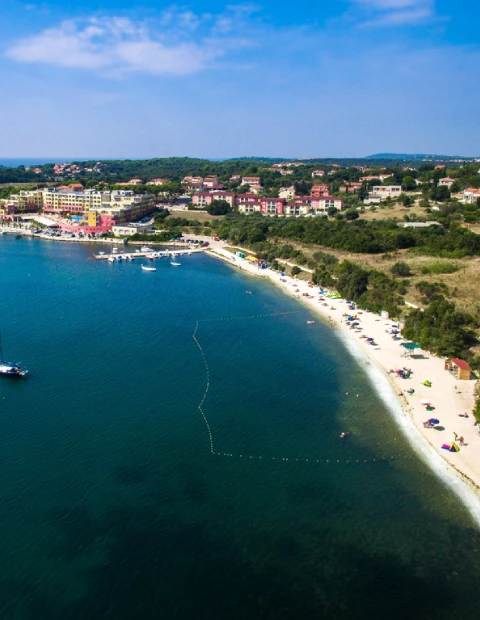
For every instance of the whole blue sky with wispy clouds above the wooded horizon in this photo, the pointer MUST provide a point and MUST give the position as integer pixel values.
(285, 79)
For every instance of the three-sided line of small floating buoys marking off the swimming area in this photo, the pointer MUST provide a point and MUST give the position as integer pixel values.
(256, 457)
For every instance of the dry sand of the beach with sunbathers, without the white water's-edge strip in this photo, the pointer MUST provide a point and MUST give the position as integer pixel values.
(450, 398)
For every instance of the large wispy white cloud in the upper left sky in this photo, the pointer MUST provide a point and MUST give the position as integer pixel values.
(120, 46)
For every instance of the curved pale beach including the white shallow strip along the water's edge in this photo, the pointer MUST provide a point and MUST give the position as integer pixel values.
(461, 475)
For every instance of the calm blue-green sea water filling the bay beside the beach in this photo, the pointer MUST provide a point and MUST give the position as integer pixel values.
(111, 502)
